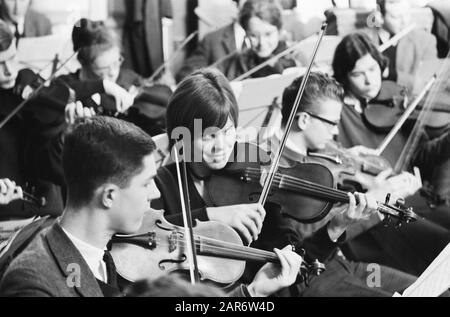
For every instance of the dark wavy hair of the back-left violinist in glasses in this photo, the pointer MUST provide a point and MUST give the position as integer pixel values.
(90, 39)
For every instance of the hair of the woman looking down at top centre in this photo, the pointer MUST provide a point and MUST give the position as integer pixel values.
(267, 10)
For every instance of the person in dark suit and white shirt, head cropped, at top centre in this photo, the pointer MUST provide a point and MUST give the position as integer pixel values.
(216, 46)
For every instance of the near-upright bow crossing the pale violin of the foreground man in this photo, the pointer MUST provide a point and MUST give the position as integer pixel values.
(187, 215)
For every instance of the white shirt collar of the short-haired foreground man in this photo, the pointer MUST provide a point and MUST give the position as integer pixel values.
(92, 255)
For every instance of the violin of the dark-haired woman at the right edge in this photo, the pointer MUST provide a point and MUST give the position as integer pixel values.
(382, 113)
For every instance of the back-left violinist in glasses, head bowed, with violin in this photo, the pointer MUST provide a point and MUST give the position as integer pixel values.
(106, 83)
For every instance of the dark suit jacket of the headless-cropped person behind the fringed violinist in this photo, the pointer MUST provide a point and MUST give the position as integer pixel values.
(215, 46)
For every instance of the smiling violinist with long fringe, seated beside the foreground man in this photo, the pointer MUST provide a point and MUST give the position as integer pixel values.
(214, 105)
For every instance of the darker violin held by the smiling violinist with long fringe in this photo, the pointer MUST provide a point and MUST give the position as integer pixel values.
(305, 192)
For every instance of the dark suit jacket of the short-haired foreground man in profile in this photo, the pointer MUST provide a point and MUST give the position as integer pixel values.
(47, 267)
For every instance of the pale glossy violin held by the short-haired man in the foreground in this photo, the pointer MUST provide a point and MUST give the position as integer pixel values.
(160, 248)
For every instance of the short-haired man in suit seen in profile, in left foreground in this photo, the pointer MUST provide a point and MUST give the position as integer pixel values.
(110, 169)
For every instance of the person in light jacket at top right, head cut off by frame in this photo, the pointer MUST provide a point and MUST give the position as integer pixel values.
(406, 55)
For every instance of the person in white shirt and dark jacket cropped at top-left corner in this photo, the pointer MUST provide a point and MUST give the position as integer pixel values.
(23, 21)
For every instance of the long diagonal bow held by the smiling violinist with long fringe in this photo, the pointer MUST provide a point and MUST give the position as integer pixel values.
(272, 173)
